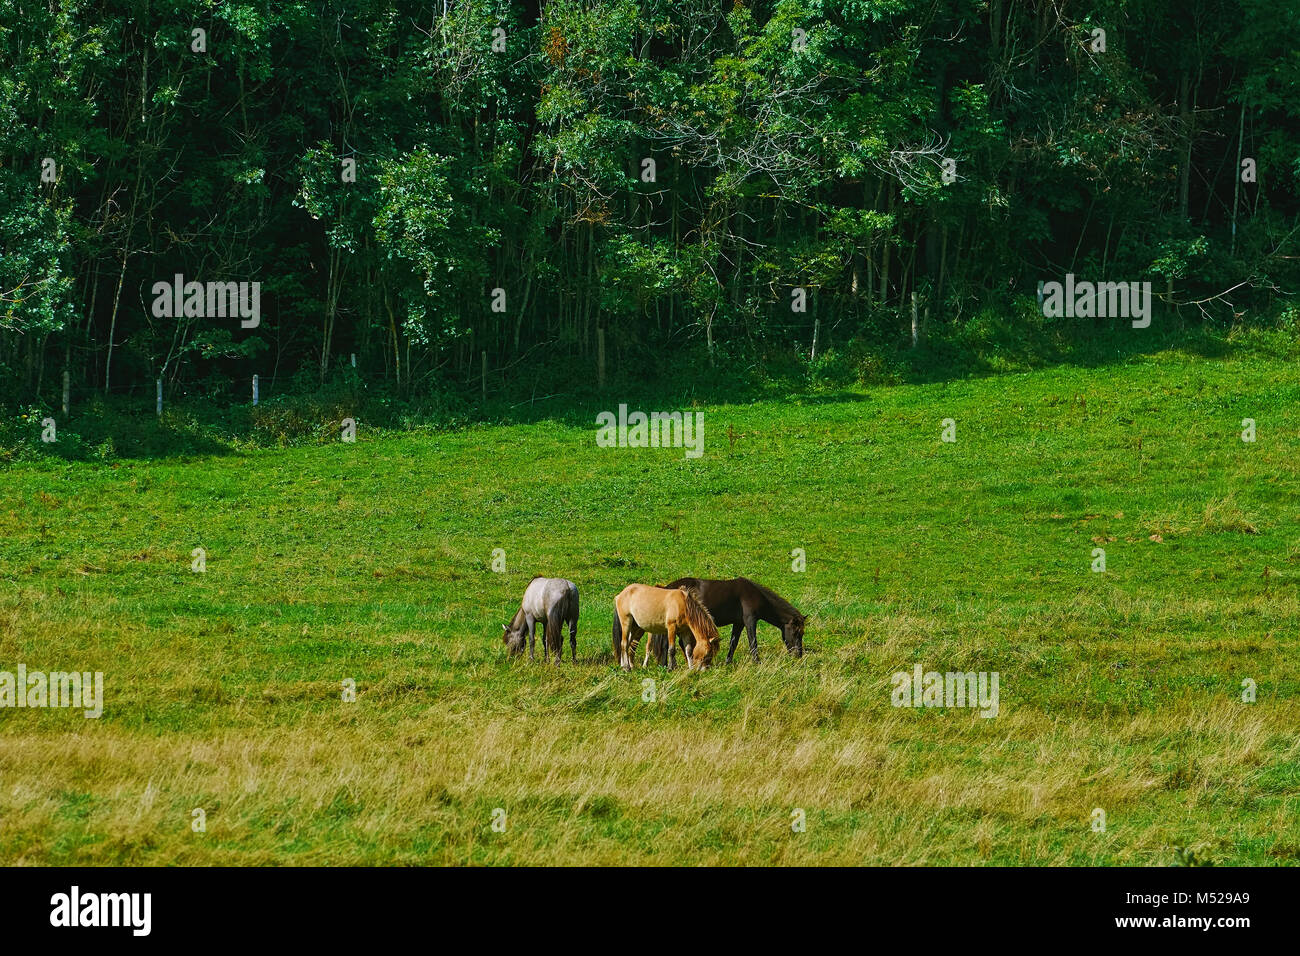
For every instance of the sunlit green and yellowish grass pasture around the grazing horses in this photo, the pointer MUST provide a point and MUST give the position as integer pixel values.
(1120, 691)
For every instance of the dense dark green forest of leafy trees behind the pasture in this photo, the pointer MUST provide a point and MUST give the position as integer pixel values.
(470, 198)
